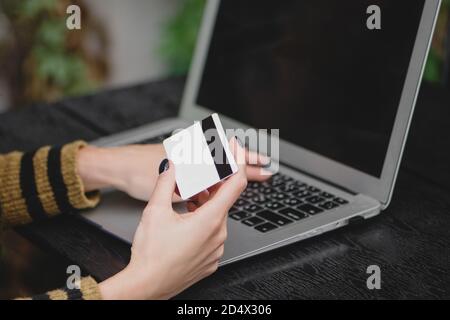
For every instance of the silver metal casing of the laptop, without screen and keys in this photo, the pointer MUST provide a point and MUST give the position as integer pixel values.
(362, 195)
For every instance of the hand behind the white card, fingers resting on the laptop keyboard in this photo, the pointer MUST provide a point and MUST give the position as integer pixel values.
(134, 169)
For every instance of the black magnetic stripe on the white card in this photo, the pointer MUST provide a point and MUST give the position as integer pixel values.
(216, 148)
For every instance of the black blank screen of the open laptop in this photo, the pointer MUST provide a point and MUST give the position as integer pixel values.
(327, 73)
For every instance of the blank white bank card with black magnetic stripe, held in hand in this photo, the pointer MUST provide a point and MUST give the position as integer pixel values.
(201, 155)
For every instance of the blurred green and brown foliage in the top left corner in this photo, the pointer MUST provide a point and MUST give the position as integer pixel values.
(48, 60)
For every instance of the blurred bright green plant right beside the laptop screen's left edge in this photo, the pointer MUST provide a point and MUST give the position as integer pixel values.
(180, 35)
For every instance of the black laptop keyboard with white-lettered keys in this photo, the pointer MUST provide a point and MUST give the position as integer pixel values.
(280, 202)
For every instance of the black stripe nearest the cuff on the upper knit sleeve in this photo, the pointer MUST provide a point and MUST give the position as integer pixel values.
(57, 181)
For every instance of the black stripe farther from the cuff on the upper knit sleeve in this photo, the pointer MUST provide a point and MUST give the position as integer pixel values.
(28, 186)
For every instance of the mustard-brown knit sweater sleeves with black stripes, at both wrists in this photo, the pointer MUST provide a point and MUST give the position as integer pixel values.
(41, 184)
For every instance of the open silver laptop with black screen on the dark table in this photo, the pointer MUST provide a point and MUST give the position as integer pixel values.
(339, 79)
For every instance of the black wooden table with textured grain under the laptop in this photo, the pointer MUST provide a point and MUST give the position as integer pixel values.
(410, 241)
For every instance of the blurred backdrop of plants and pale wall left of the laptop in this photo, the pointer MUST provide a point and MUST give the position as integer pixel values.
(120, 43)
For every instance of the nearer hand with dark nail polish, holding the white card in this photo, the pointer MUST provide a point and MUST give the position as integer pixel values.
(171, 251)
